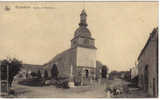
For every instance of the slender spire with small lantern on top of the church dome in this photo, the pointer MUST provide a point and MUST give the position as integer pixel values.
(83, 19)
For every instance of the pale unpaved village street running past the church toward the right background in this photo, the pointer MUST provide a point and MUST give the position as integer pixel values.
(24, 91)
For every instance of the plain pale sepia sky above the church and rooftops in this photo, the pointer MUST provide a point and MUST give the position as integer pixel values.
(35, 32)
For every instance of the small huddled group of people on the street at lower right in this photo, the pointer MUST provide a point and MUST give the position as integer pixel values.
(111, 92)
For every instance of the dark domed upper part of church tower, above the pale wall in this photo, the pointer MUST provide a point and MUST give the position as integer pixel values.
(82, 36)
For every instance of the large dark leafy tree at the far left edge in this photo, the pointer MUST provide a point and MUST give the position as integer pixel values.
(9, 69)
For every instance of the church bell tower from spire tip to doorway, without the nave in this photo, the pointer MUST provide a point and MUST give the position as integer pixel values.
(85, 51)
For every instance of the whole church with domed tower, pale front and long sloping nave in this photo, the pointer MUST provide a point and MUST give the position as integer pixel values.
(78, 63)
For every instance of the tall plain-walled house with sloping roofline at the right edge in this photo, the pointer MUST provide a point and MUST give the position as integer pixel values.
(148, 65)
